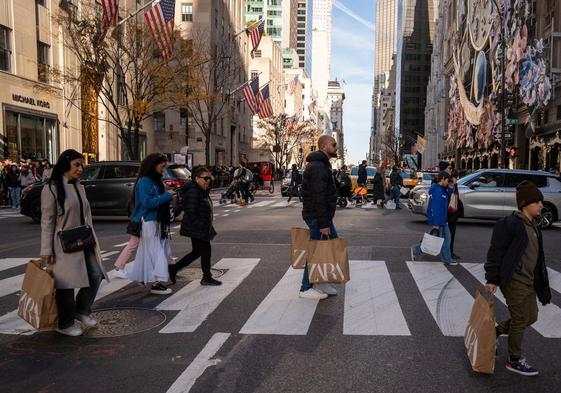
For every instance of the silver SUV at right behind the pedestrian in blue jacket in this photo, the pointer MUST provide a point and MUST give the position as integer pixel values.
(491, 194)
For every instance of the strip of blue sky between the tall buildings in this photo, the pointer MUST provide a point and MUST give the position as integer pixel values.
(352, 60)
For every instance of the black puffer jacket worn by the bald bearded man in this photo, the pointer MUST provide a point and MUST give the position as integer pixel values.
(319, 193)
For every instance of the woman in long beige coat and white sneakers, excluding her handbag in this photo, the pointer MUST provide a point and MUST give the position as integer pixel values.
(64, 206)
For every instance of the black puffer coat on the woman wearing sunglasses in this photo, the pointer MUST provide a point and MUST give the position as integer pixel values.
(197, 213)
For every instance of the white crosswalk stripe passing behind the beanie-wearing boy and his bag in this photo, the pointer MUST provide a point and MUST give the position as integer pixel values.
(549, 317)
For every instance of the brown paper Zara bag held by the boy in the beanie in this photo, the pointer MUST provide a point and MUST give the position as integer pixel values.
(480, 337)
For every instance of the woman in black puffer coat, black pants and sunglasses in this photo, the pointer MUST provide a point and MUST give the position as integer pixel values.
(197, 224)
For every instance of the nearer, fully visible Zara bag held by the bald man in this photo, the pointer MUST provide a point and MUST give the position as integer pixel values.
(328, 261)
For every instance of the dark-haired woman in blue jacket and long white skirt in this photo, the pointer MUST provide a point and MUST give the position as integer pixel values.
(152, 208)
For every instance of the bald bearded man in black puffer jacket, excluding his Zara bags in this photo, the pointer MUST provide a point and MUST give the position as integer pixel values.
(319, 196)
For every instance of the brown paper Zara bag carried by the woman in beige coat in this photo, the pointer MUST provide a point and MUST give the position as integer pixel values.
(37, 304)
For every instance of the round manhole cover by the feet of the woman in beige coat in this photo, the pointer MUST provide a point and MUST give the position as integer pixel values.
(115, 322)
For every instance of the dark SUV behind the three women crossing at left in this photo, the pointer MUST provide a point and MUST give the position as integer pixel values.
(108, 185)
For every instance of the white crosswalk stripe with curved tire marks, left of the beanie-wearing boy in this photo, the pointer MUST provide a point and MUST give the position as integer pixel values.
(448, 301)
